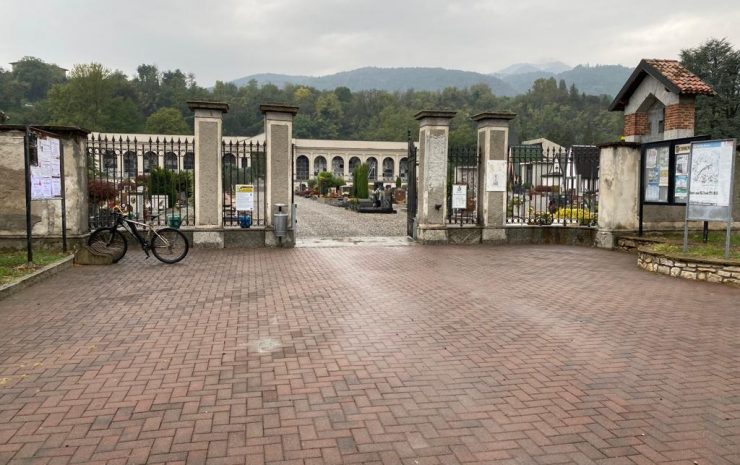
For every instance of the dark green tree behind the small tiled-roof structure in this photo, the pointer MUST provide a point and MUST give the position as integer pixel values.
(718, 64)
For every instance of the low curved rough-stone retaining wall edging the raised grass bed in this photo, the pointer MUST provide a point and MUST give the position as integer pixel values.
(711, 270)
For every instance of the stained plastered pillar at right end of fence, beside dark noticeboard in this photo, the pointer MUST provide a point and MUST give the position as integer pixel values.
(619, 192)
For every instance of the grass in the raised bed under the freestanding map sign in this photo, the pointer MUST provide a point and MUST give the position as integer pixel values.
(713, 248)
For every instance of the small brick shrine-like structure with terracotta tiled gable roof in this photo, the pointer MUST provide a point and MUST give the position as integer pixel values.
(658, 101)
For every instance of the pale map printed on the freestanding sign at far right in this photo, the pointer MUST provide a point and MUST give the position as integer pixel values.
(710, 180)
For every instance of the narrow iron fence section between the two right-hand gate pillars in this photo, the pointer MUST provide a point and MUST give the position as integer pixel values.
(462, 170)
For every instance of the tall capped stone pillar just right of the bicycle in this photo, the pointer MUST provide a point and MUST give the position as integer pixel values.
(208, 230)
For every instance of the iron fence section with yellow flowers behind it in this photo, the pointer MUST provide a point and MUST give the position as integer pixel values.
(553, 186)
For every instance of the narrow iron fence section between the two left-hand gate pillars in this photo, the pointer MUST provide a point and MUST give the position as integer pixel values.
(244, 163)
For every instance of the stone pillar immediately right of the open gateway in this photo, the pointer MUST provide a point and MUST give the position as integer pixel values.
(434, 131)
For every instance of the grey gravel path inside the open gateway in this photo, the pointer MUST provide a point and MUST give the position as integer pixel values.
(316, 219)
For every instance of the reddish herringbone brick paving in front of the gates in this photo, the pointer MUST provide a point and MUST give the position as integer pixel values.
(412, 355)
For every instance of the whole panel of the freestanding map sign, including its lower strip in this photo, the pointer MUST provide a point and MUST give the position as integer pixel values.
(710, 180)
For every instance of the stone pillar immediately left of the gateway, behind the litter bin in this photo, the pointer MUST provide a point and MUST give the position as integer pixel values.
(279, 138)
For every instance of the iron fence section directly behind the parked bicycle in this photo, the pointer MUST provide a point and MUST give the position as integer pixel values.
(153, 179)
